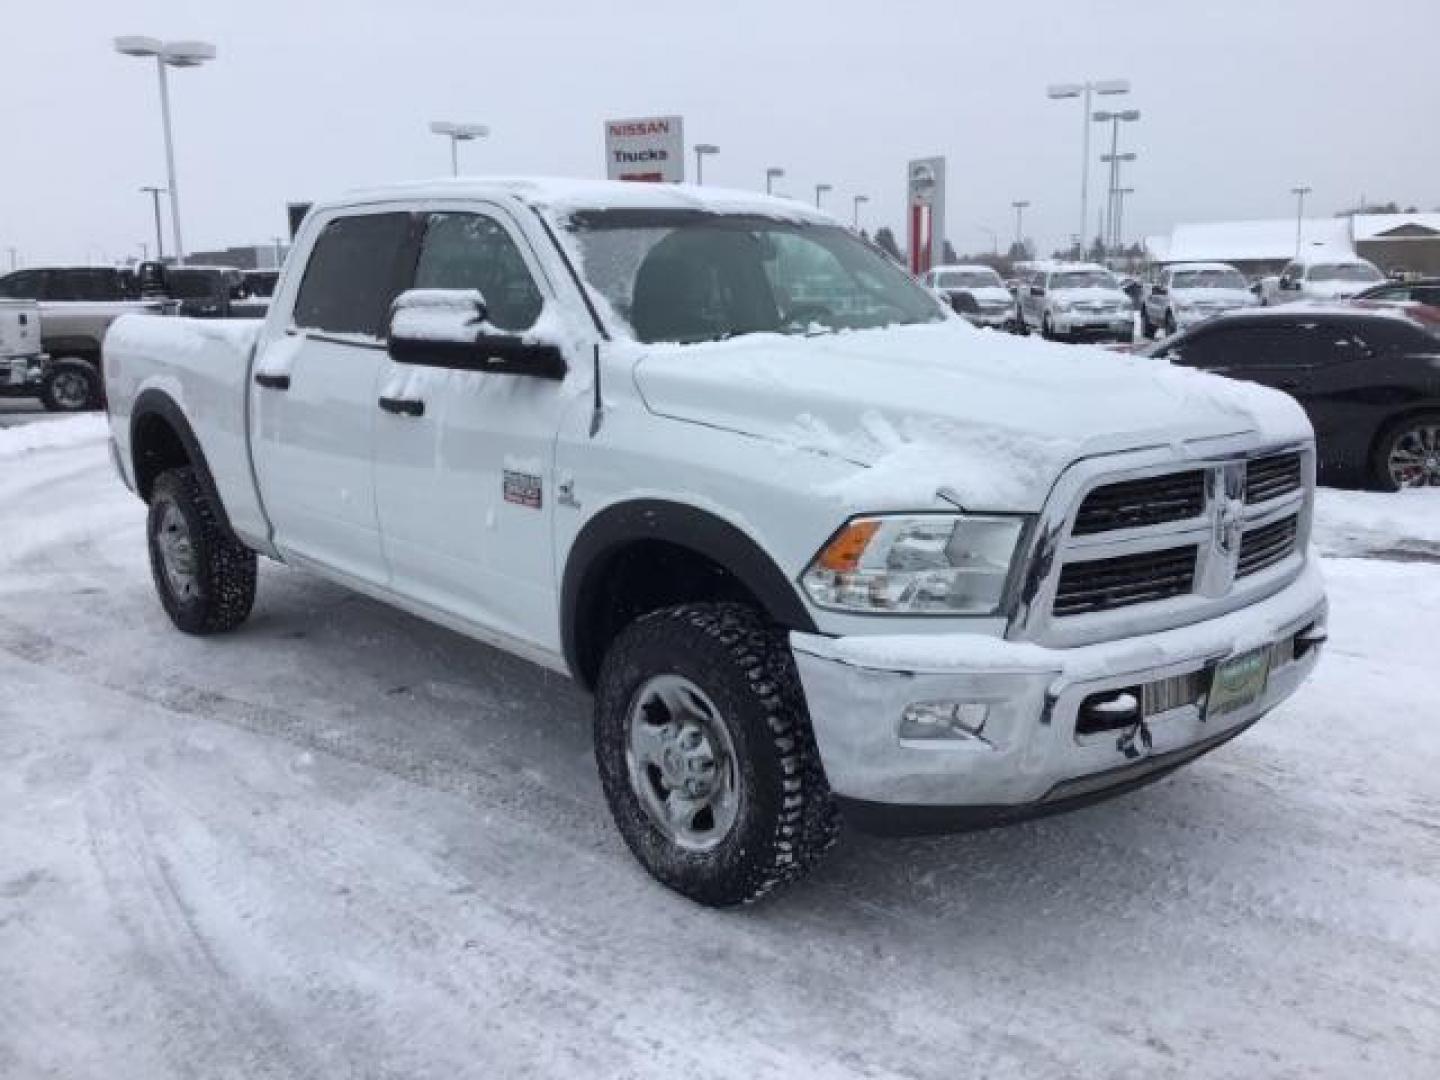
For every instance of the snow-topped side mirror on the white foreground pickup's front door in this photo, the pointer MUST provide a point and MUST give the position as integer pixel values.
(451, 329)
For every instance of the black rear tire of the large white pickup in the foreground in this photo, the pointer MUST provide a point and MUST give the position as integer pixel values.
(221, 571)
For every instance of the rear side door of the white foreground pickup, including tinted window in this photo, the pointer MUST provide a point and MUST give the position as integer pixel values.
(316, 388)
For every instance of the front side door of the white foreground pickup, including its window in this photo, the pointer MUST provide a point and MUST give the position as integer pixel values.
(464, 474)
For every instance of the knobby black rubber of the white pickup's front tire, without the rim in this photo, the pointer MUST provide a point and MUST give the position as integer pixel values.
(786, 817)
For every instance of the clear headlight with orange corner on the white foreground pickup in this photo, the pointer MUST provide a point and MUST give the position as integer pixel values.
(917, 565)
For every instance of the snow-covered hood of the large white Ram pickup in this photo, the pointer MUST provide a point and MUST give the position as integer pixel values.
(994, 420)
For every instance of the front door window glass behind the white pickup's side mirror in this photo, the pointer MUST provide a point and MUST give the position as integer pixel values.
(469, 251)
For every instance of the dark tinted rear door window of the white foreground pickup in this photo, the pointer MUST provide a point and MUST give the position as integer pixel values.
(354, 276)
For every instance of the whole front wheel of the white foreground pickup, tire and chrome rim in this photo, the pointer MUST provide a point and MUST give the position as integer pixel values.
(706, 754)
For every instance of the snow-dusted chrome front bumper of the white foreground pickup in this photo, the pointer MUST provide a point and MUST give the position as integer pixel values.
(1032, 758)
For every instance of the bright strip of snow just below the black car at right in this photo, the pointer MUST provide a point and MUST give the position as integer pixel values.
(1359, 523)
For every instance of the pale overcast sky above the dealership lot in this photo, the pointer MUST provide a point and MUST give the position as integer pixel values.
(1241, 100)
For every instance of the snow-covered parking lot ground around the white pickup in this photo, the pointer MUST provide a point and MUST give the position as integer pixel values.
(345, 843)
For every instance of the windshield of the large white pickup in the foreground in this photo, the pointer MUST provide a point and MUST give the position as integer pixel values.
(693, 276)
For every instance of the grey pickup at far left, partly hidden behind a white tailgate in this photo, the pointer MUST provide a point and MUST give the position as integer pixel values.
(77, 307)
